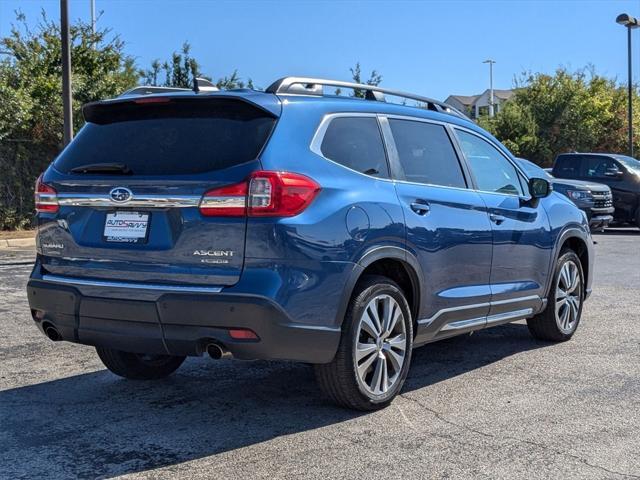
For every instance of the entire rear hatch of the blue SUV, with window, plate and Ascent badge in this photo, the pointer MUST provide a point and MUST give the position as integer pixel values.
(130, 185)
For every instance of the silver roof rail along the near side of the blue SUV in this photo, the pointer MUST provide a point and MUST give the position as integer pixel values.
(313, 86)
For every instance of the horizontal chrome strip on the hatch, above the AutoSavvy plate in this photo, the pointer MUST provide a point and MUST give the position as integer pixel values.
(144, 201)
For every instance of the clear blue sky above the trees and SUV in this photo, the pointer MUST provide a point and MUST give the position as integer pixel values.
(434, 48)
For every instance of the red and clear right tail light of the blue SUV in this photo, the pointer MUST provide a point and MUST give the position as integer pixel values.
(264, 194)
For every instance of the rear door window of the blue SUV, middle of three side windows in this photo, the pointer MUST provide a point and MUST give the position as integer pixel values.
(426, 153)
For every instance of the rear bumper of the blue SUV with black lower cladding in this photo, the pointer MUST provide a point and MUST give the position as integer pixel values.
(178, 323)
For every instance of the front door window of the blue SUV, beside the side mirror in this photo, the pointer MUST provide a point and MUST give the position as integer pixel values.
(493, 172)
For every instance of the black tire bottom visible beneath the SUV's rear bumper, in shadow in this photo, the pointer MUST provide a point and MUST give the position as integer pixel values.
(136, 366)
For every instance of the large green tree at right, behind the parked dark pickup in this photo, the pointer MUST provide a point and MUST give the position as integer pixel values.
(564, 112)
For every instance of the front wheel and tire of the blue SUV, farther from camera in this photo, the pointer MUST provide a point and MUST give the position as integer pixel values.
(561, 317)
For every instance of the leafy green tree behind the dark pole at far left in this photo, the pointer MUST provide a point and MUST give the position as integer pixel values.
(31, 100)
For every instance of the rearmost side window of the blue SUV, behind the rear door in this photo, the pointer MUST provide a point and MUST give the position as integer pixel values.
(356, 142)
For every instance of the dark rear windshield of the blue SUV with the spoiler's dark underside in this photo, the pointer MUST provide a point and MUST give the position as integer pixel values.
(178, 137)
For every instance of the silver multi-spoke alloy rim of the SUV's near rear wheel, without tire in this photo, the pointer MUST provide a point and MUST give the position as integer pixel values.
(380, 345)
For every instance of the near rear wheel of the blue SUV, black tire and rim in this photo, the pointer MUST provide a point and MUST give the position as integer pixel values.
(374, 354)
